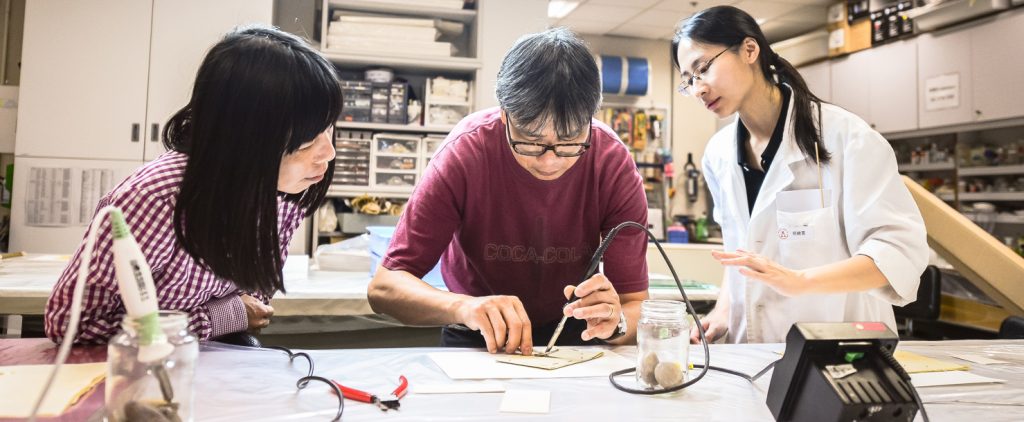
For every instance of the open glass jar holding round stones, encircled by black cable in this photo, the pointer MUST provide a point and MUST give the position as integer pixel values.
(663, 345)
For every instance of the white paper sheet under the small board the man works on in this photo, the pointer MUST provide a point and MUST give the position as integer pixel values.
(481, 365)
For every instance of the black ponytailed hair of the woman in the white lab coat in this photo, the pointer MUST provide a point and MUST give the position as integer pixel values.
(729, 26)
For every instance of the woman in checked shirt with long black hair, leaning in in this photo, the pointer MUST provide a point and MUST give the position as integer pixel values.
(248, 159)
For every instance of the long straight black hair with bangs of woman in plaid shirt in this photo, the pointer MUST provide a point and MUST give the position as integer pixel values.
(261, 94)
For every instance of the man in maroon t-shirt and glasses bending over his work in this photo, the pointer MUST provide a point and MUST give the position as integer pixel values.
(515, 203)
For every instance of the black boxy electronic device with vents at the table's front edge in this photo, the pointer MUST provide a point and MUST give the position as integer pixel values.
(841, 372)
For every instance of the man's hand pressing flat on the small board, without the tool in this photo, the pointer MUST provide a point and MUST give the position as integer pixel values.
(501, 320)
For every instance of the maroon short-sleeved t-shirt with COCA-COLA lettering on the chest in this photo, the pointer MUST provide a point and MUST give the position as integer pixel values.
(502, 232)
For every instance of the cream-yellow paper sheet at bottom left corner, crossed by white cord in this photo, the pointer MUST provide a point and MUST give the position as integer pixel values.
(21, 387)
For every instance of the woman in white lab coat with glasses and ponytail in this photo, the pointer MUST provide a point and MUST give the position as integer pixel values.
(818, 224)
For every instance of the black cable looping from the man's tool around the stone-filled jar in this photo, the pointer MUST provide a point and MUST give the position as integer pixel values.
(697, 320)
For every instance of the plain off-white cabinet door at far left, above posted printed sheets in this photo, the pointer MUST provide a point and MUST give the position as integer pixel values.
(84, 79)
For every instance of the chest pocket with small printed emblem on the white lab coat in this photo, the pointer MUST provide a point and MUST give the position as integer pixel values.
(807, 239)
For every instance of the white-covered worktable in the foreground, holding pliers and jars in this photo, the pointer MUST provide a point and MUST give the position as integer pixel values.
(235, 384)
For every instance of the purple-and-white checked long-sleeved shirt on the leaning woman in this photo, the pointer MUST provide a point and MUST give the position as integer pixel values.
(148, 199)
